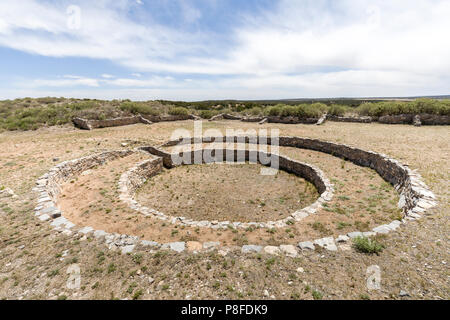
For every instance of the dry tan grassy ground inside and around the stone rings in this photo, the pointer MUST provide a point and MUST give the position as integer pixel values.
(34, 259)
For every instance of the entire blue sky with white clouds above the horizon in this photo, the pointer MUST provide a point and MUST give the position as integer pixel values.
(219, 49)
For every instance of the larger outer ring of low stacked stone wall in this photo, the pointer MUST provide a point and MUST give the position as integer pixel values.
(415, 198)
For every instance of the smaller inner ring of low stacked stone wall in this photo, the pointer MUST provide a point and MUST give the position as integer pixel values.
(134, 178)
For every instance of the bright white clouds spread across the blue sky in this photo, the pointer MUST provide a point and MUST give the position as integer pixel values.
(303, 48)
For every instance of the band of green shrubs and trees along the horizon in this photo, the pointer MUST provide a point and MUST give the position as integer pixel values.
(30, 114)
